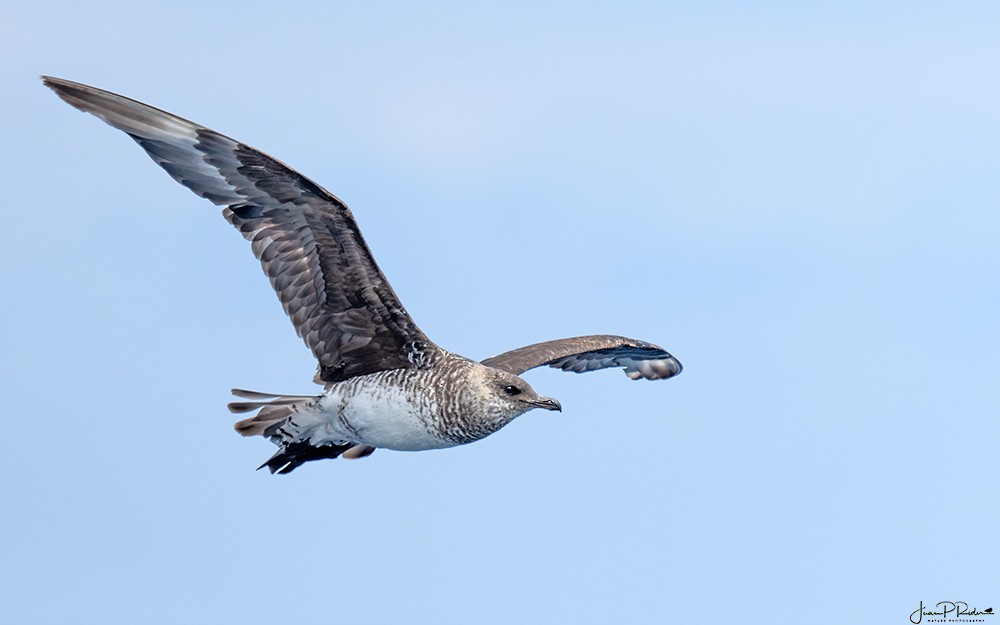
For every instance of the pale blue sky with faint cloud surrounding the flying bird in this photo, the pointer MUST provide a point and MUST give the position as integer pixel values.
(800, 201)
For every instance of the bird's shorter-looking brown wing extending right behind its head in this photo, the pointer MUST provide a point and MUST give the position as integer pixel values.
(589, 353)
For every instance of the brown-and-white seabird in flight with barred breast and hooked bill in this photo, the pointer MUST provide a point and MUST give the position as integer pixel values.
(385, 383)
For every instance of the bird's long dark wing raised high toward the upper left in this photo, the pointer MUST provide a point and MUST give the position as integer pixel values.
(305, 238)
